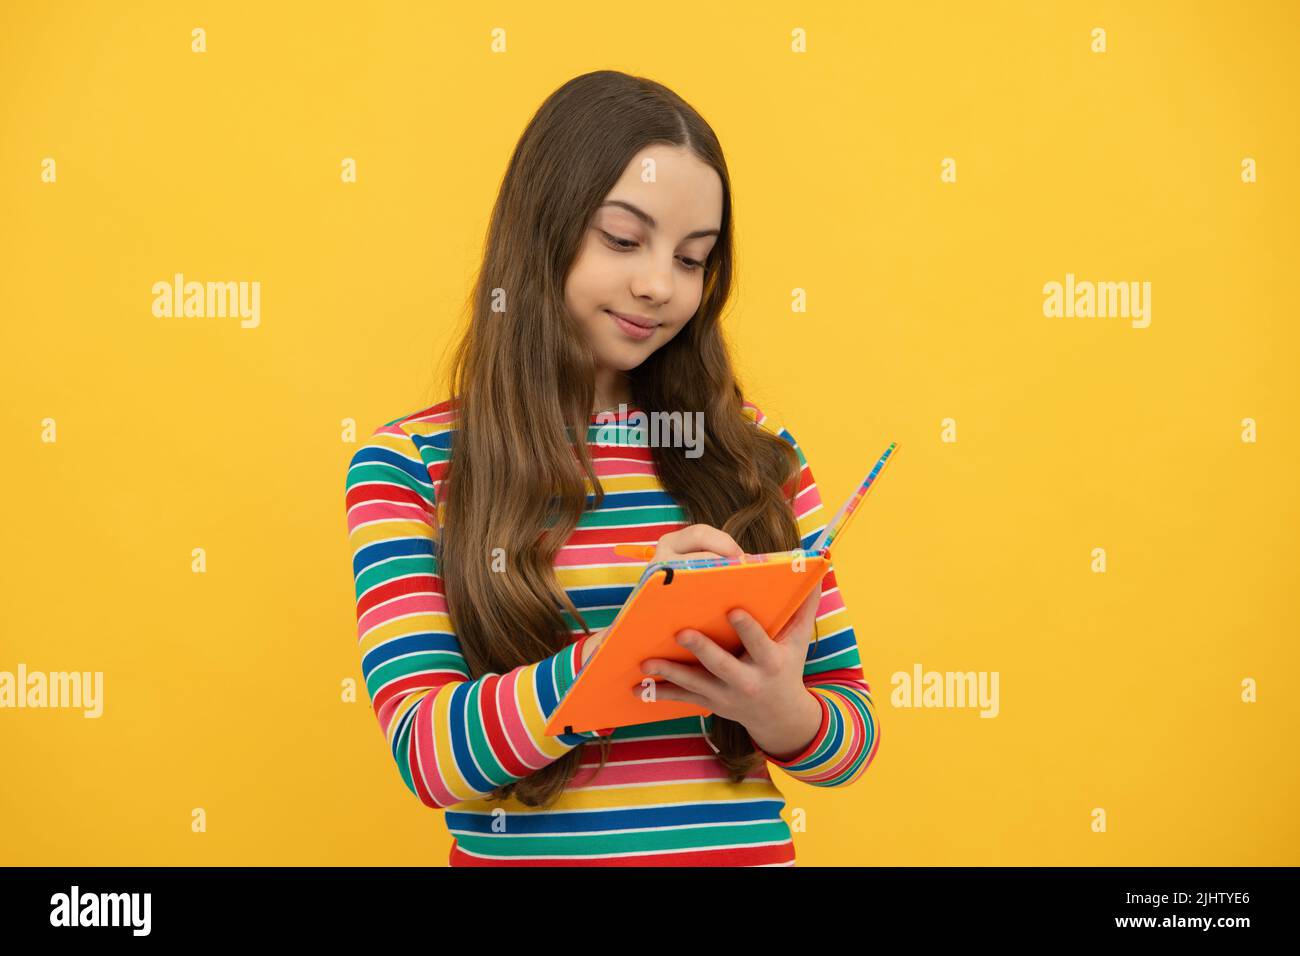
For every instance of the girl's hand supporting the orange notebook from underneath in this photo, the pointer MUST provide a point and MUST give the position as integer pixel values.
(757, 689)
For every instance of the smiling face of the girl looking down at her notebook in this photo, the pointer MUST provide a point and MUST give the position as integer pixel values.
(643, 257)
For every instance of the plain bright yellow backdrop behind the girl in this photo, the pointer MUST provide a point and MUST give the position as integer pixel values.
(1119, 691)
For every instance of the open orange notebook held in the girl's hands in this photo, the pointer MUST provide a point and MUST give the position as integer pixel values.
(696, 594)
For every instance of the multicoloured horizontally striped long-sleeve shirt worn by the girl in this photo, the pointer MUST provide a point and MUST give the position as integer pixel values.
(664, 799)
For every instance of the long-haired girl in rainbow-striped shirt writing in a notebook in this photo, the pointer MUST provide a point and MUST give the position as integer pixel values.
(483, 527)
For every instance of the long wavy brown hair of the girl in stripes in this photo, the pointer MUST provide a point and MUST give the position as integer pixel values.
(523, 383)
